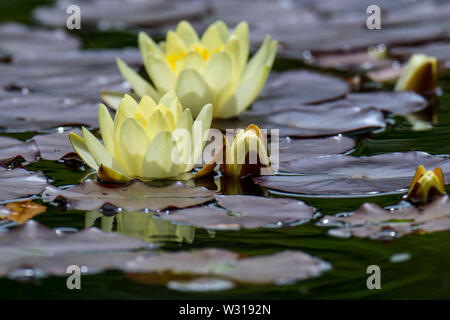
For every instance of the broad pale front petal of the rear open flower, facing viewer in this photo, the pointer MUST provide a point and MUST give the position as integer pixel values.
(193, 91)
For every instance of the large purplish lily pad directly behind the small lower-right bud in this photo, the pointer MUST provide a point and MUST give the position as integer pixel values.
(345, 175)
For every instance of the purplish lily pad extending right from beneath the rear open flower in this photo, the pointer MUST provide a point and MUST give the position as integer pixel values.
(308, 121)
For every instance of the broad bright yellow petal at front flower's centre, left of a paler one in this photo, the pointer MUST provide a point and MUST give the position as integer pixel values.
(133, 144)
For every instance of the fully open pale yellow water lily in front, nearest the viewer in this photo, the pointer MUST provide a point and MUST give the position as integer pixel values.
(145, 140)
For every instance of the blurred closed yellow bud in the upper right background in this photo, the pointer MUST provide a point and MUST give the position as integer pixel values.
(420, 74)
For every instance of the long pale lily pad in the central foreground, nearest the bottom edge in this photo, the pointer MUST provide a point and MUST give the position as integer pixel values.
(281, 268)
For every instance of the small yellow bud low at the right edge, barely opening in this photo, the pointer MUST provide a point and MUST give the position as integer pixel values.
(426, 185)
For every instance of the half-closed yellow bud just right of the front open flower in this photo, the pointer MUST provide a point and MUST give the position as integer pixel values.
(247, 154)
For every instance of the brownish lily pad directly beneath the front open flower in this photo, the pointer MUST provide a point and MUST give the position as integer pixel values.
(90, 195)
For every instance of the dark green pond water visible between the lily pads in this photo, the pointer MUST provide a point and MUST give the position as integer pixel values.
(424, 274)
